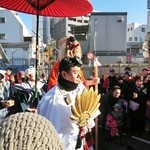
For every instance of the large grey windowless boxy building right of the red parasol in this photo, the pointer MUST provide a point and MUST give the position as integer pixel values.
(107, 36)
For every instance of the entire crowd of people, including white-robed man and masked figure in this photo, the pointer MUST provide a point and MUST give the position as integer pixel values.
(57, 93)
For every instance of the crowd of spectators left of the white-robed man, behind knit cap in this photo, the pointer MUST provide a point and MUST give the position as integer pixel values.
(17, 91)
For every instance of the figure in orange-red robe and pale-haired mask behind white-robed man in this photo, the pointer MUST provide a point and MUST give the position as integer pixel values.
(69, 46)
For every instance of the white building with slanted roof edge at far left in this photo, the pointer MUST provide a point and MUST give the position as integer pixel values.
(14, 37)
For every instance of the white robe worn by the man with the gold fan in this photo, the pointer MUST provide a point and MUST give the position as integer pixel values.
(55, 109)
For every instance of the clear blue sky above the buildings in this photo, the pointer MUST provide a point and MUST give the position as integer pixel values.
(136, 10)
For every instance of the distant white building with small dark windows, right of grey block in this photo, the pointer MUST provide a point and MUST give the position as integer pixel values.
(136, 34)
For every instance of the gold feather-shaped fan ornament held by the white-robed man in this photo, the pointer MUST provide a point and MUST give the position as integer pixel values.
(86, 105)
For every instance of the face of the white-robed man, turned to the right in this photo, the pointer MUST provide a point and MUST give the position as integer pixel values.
(72, 75)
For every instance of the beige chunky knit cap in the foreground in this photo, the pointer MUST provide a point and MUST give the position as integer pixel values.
(28, 131)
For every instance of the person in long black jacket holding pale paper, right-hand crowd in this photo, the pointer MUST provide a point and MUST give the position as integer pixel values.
(137, 107)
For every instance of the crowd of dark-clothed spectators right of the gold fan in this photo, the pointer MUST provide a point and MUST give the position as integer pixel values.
(135, 93)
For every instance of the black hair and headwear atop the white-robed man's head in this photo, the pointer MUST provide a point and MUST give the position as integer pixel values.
(68, 62)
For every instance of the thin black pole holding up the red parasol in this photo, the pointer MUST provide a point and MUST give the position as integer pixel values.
(36, 54)
